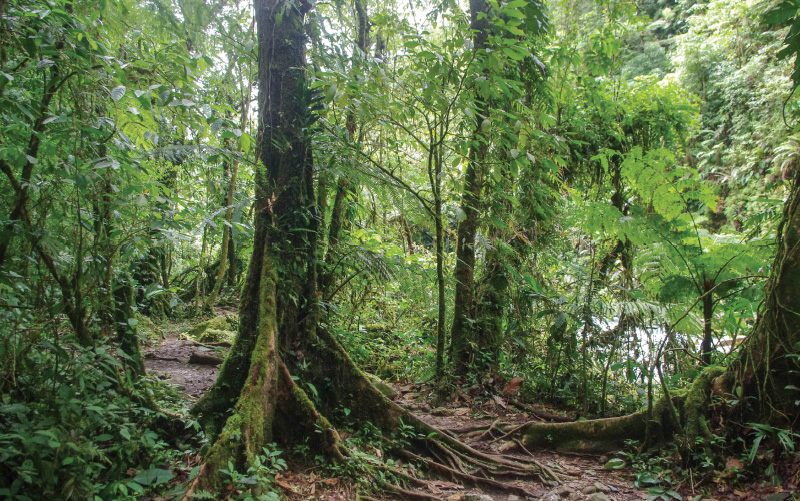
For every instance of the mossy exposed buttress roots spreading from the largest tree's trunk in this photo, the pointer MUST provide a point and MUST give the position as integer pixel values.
(296, 417)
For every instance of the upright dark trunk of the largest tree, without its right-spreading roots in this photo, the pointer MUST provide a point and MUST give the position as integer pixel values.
(271, 315)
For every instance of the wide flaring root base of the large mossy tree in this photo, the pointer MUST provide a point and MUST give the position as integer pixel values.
(426, 452)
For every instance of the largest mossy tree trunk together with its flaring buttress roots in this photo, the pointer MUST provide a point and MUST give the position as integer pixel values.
(277, 309)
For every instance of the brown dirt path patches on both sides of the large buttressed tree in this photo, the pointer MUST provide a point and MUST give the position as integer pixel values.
(583, 477)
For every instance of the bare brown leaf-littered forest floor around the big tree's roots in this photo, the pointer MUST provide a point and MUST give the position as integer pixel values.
(471, 419)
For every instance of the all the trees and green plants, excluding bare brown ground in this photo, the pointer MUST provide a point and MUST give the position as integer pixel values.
(595, 196)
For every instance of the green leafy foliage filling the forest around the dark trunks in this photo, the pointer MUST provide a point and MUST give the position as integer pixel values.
(635, 161)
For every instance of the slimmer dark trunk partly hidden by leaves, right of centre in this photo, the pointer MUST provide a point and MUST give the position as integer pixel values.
(464, 310)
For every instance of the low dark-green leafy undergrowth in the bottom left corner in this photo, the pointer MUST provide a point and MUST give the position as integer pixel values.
(67, 431)
